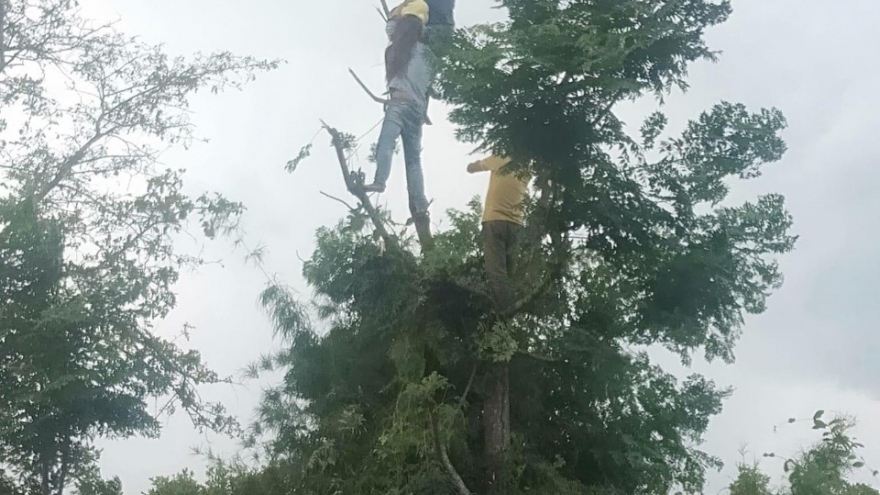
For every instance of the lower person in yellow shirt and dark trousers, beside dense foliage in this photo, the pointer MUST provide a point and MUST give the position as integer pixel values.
(502, 223)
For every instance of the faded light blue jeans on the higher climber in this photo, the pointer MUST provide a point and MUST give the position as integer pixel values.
(403, 119)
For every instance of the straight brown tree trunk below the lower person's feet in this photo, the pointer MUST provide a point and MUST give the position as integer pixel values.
(496, 429)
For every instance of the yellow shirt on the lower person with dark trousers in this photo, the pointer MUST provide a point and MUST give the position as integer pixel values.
(506, 191)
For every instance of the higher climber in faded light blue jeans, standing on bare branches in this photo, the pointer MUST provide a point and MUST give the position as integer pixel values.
(409, 74)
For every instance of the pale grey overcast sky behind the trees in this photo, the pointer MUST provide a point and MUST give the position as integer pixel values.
(816, 60)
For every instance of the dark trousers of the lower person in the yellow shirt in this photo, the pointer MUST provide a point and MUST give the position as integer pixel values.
(499, 245)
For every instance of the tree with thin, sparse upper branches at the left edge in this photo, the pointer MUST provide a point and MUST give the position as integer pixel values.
(88, 218)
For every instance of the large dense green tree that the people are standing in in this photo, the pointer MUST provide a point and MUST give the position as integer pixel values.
(410, 385)
